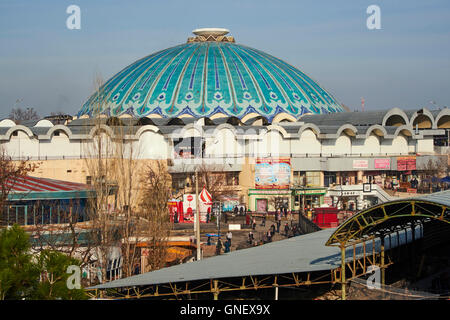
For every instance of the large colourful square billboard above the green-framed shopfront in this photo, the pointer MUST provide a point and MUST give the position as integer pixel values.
(272, 173)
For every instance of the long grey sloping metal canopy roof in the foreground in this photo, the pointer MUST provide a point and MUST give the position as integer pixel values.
(298, 254)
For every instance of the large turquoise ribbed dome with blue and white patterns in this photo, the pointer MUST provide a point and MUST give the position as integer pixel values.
(203, 77)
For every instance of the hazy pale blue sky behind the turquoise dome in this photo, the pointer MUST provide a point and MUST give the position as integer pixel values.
(405, 64)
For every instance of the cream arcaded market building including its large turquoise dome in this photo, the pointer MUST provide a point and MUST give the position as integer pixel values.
(275, 134)
